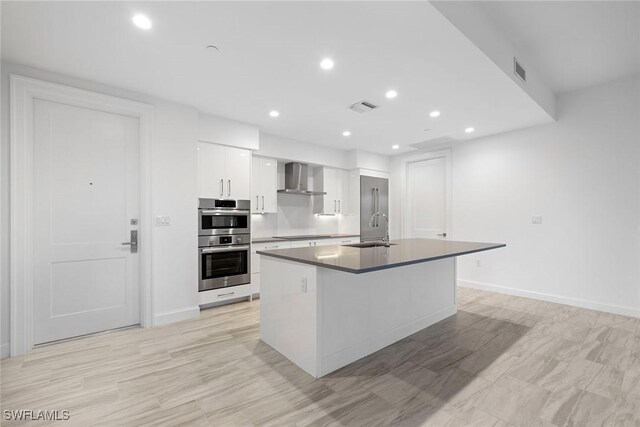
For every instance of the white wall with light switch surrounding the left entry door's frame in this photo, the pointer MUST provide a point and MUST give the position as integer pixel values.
(174, 271)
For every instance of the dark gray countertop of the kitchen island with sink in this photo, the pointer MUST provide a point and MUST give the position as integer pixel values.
(363, 260)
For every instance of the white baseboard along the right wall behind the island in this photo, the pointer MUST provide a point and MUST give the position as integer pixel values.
(576, 302)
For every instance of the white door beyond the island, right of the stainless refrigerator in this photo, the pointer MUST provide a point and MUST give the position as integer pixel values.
(426, 209)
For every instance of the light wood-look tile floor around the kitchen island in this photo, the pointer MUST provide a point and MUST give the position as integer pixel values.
(500, 361)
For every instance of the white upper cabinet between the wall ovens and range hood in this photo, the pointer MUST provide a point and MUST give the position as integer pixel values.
(264, 191)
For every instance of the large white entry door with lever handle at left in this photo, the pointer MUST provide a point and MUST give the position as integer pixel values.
(86, 203)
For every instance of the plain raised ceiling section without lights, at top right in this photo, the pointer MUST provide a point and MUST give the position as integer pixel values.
(572, 44)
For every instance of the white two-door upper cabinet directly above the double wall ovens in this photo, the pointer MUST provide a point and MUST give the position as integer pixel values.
(223, 172)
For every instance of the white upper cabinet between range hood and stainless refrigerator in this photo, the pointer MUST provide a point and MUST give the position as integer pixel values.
(334, 182)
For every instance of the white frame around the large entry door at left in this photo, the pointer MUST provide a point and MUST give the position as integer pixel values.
(23, 92)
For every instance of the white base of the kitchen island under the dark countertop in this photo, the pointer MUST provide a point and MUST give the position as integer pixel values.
(323, 319)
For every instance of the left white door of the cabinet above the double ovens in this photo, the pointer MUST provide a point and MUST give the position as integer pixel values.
(211, 170)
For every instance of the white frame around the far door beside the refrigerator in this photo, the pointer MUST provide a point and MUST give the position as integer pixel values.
(446, 155)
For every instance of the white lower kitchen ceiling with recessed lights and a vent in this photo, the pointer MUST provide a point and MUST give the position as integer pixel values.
(268, 59)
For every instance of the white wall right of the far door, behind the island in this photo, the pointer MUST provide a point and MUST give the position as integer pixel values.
(582, 174)
